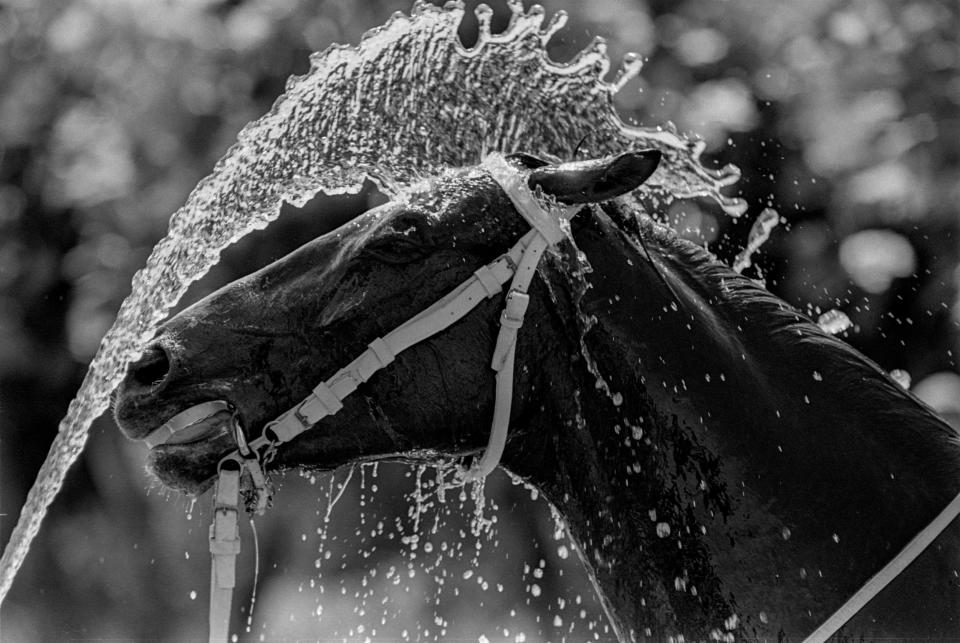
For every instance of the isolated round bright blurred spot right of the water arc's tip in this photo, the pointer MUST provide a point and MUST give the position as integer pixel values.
(874, 258)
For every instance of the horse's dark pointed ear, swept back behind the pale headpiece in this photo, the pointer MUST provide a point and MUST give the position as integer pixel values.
(595, 180)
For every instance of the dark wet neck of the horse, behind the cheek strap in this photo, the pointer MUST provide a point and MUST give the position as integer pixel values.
(707, 451)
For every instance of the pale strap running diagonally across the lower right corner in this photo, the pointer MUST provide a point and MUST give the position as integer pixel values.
(883, 578)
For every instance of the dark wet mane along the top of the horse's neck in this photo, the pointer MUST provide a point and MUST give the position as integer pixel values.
(783, 348)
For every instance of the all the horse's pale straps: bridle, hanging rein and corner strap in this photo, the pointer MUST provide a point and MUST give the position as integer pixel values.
(518, 266)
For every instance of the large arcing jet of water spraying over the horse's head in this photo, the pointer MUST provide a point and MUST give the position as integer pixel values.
(408, 101)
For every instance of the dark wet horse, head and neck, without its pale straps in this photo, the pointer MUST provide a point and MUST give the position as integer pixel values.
(725, 467)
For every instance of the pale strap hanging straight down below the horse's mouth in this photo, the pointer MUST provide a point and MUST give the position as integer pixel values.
(224, 548)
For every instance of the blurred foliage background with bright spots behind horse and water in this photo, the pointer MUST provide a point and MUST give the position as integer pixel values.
(842, 115)
